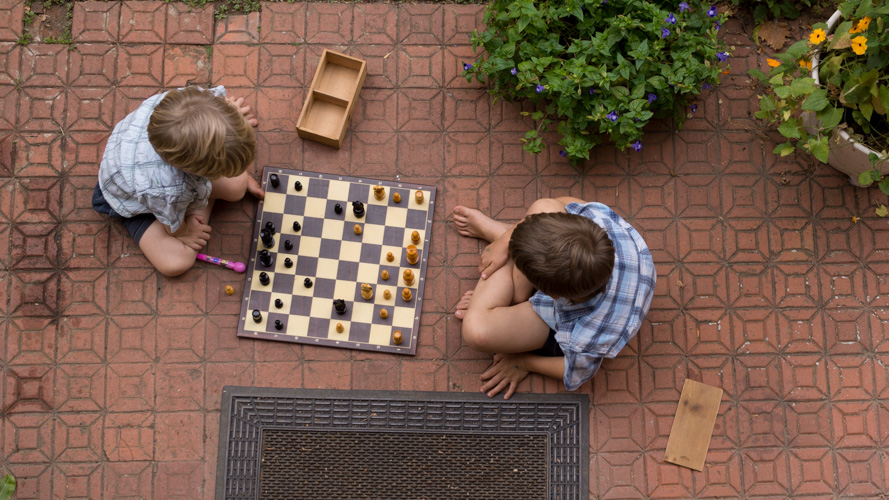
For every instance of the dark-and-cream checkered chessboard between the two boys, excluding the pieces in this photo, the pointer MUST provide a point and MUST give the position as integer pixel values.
(327, 250)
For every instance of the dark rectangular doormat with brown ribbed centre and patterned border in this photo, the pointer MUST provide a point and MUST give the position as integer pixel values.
(303, 443)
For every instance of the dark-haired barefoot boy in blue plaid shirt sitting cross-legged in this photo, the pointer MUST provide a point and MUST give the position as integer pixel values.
(594, 279)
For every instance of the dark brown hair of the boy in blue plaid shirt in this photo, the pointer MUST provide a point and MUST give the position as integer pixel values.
(563, 255)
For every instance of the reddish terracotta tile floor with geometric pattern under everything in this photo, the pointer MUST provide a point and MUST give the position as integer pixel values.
(112, 374)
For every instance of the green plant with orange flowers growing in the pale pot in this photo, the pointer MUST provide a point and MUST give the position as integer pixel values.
(854, 91)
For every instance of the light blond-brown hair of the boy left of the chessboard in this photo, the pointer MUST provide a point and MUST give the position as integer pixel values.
(201, 134)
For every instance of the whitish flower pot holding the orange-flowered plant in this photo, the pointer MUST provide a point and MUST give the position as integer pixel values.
(846, 154)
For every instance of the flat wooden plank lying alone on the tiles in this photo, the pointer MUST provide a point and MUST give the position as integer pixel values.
(693, 425)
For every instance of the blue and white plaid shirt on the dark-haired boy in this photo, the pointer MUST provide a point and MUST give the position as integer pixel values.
(600, 327)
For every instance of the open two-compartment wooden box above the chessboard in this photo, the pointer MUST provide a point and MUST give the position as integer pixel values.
(331, 98)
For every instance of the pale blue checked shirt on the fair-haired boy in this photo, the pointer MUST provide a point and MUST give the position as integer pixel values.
(135, 180)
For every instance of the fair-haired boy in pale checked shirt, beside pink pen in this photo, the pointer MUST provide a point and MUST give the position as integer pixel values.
(167, 162)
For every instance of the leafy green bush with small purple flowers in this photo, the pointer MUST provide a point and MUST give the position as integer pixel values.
(598, 69)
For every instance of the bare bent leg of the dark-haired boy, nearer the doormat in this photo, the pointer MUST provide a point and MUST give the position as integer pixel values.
(491, 324)
